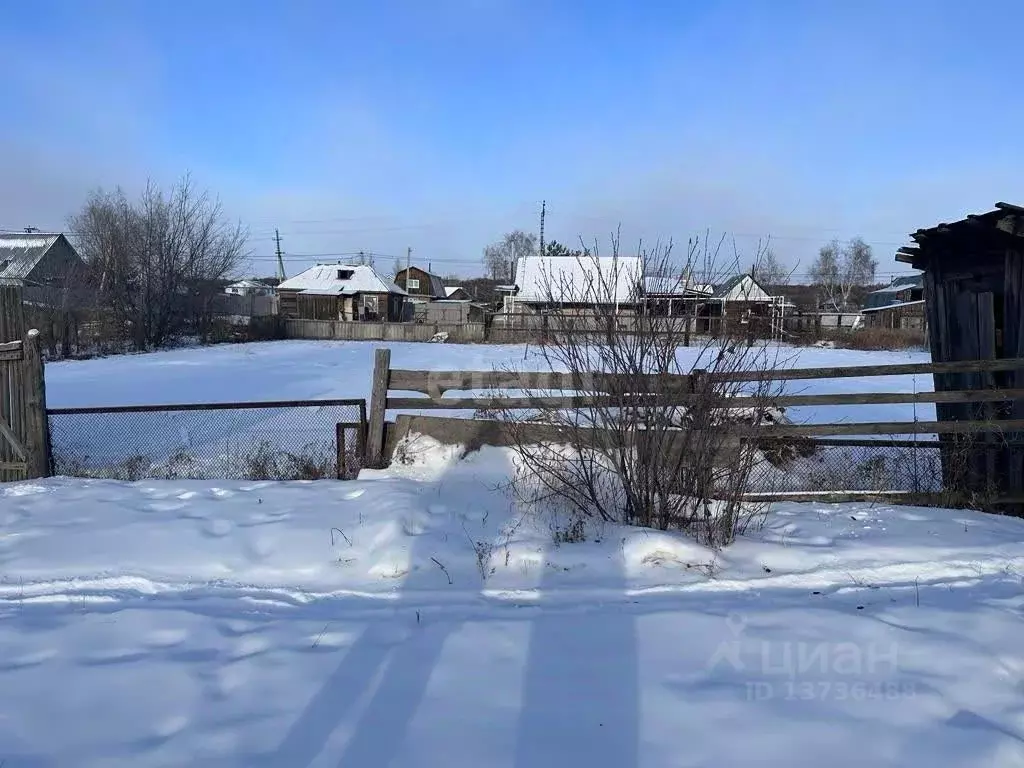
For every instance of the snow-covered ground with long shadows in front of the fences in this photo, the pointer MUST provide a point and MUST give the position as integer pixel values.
(411, 619)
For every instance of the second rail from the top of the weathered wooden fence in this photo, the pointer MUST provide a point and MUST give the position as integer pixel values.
(843, 399)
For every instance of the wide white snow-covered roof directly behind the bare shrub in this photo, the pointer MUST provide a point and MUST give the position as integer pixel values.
(585, 280)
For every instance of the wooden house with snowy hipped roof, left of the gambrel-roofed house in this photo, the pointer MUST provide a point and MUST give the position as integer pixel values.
(342, 292)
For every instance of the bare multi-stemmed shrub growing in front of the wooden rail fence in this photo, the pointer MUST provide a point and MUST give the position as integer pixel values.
(650, 438)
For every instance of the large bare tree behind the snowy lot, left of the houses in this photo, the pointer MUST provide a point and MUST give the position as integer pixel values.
(160, 260)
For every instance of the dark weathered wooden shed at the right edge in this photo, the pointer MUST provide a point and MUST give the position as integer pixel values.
(974, 300)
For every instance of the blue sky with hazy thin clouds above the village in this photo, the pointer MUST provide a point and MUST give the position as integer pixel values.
(441, 124)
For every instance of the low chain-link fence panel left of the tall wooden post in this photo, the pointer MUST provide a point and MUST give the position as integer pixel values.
(282, 441)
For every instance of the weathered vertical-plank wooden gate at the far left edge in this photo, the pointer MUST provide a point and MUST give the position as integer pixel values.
(24, 435)
